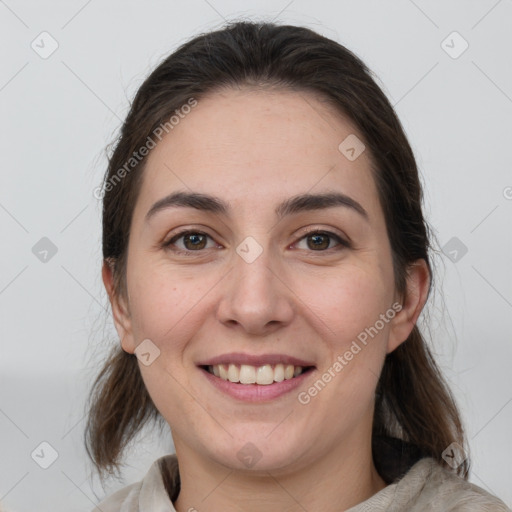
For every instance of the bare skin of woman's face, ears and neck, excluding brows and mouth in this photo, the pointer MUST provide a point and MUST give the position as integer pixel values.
(255, 149)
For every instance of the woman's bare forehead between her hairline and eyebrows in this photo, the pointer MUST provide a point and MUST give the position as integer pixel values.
(254, 147)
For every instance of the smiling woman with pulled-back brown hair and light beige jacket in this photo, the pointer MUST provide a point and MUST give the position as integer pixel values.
(266, 259)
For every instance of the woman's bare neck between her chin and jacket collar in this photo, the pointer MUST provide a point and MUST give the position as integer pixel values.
(338, 480)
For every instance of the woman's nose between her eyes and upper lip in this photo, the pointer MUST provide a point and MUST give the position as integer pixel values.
(255, 297)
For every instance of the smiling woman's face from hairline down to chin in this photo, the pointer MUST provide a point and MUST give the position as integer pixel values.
(252, 286)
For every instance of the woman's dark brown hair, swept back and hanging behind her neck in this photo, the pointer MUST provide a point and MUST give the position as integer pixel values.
(413, 402)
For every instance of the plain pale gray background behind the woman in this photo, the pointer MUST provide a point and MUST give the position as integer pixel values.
(58, 114)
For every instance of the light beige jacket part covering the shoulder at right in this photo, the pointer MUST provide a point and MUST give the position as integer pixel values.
(437, 488)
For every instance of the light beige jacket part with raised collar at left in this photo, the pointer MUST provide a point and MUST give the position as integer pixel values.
(148, 494)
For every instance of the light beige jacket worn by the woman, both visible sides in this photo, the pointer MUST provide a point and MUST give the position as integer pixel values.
(426, 486)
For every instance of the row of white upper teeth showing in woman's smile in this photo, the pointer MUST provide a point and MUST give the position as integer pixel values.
(263, 375)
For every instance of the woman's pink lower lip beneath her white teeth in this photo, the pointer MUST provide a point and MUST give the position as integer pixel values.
(256, 392)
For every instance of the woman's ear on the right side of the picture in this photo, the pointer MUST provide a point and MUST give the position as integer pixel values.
(418, 281)
